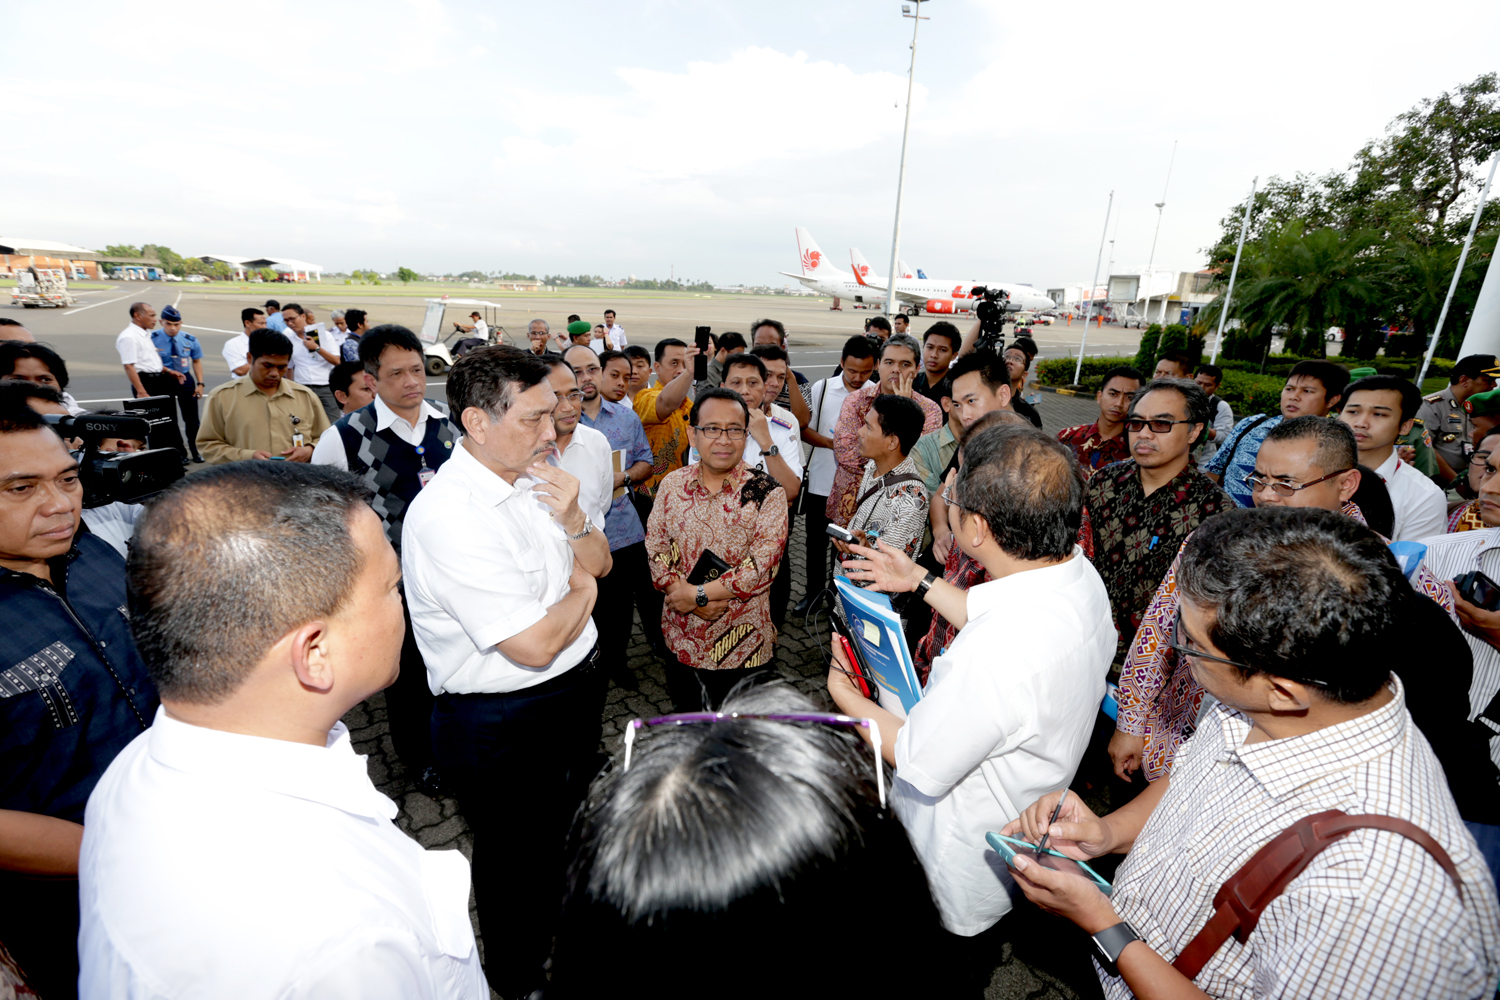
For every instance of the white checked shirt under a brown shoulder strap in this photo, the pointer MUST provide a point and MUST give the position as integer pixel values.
(1372, 917)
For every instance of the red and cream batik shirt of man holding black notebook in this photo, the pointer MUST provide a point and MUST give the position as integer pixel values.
(745, 524)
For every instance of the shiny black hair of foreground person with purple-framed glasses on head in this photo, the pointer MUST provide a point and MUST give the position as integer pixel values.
(721, 831)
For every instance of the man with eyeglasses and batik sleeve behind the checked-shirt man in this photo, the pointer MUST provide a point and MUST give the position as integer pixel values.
(1304, 463)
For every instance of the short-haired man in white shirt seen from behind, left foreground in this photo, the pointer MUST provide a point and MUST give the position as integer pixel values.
(239, 848)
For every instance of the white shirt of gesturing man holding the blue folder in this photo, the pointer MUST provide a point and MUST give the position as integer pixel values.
(1006, 719)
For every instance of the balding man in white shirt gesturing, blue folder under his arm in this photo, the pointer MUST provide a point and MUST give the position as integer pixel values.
(994, 734)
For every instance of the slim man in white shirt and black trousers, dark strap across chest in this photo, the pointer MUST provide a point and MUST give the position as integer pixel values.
(824, 404)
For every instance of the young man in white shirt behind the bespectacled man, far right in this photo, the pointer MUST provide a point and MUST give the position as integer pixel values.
(1379, 415)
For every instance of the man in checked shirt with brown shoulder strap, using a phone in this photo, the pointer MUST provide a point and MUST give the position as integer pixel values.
(1294, 621)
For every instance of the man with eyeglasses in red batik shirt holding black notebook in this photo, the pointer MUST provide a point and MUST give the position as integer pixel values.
(722, 524)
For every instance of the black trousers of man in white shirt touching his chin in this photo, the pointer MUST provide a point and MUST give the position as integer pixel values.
(521, 764)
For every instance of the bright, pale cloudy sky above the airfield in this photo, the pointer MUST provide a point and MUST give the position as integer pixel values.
(689, 139)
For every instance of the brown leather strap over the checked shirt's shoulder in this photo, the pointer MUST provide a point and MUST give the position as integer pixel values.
(1247, 894)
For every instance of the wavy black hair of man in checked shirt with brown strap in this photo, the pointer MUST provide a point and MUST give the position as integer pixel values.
(1298, 593)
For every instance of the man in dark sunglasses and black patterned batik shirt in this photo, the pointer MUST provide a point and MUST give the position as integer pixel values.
(1139, 512)
